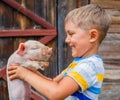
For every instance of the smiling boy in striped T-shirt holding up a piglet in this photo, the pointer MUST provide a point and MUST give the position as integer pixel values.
(85, 27)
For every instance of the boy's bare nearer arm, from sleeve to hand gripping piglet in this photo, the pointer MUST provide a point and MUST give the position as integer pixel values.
(60, 88)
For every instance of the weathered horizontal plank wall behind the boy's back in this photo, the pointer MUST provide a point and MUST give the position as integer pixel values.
(110, 51)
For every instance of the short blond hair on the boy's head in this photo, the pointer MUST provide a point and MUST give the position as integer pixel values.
(89, 17)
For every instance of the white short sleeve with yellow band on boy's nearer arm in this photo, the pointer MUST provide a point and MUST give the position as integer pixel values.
(84, 75)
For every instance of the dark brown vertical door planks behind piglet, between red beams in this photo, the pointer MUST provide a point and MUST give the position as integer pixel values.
(12, 19)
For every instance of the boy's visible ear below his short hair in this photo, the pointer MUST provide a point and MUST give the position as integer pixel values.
(93, 35)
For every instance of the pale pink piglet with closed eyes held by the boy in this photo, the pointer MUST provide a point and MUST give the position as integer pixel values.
(31, 53)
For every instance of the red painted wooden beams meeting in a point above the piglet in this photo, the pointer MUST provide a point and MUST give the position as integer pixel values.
(48, 33)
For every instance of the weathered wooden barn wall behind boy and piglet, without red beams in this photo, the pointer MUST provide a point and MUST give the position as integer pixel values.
(54, 11)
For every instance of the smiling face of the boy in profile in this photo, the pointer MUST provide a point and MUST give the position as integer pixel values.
(77, 39)
